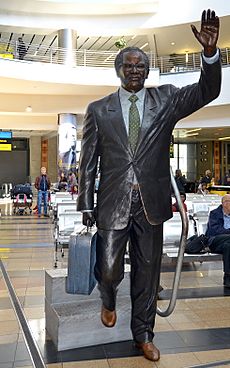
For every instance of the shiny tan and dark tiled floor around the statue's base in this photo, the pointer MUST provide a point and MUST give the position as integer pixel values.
(197, 334)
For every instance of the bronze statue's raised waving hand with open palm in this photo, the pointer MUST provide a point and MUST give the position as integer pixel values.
(209, 32)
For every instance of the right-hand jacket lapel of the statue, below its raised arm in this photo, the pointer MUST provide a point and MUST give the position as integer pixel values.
(149, 115)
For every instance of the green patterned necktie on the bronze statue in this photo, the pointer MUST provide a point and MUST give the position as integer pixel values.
(134, 122)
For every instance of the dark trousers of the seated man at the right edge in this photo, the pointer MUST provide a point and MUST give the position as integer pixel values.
(221, 244)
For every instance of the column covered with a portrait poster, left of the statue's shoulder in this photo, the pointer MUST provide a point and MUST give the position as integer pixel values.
(67, 141)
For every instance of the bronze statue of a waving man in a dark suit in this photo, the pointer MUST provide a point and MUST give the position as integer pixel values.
(129, 133)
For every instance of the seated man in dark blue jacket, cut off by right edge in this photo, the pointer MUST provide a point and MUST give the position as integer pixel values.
(218, 232)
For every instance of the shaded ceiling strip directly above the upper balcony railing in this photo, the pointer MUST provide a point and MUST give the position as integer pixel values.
(157, 39)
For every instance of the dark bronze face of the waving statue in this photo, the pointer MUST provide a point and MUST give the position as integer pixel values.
(133, 71)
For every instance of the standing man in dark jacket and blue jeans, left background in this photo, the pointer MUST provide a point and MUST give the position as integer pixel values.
(42, 184)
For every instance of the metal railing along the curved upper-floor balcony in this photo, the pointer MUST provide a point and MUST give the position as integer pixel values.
(174, 63)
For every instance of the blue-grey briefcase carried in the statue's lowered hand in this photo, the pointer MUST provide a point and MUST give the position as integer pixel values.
(81, 262)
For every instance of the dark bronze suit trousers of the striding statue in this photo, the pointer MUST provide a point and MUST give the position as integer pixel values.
(145, 249)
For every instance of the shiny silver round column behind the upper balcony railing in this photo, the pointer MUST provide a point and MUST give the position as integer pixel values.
(67, 43)
